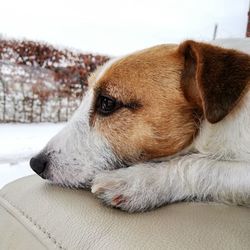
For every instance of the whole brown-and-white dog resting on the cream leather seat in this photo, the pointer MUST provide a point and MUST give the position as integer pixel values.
(166, 124)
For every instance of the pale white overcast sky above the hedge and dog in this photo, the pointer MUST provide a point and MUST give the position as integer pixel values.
(117, 27)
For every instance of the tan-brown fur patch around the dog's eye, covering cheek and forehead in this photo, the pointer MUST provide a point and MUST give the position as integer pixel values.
(163, 124)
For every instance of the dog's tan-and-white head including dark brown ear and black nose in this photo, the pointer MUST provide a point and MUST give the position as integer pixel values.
(144, 106)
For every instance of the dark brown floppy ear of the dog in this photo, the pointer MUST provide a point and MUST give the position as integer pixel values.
(214, 78)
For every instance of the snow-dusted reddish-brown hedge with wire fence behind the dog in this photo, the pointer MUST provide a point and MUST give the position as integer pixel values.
(39, 83)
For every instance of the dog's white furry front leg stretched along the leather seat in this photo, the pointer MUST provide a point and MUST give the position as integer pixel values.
(149, 185)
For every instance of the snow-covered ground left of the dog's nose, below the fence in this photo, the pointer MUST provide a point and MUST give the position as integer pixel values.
(18, 142)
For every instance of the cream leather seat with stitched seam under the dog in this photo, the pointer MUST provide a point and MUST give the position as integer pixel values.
(38, 215)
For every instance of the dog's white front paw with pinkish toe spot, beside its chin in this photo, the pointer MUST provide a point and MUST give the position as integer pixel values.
(128, 189)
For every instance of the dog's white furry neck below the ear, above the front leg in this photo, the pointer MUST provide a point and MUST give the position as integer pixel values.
(228, 139)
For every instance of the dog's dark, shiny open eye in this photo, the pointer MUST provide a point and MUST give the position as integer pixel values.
(106, 105)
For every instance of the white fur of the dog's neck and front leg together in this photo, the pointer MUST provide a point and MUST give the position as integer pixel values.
(217, 167)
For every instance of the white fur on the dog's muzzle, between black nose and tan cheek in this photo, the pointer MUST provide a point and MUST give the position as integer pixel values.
(78, 152)
